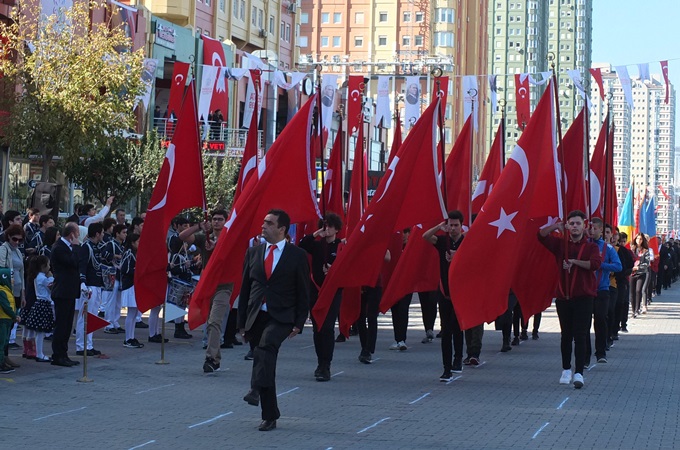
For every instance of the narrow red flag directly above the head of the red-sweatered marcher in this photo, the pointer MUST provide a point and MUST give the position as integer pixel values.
(572, 149)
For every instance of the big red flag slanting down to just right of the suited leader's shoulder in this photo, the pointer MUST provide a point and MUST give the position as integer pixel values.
(408, 193)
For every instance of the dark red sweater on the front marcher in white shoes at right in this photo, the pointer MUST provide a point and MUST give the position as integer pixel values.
(582, 282)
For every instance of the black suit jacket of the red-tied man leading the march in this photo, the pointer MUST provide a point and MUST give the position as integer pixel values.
(286, 291)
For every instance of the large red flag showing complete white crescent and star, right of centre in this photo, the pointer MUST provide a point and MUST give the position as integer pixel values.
(526, 188)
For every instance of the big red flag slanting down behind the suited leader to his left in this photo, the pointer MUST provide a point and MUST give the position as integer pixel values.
(282, 182)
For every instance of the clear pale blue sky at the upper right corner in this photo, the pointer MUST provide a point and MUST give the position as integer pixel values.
(628, 32)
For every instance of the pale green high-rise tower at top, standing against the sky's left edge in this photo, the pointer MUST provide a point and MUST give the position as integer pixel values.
(527, 37)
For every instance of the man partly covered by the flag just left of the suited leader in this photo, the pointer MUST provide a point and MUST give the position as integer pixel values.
(205, 241)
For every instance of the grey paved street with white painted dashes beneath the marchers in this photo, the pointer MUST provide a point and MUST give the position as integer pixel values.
(513, 400)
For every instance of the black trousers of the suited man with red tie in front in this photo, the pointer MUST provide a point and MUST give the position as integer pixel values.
(267, 335)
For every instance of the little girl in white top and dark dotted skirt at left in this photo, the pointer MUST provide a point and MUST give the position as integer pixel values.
(40, 319)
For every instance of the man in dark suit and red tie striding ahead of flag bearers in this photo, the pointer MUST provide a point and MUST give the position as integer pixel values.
(273, 306)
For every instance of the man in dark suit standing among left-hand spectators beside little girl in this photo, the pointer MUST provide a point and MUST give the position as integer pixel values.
(65, 291)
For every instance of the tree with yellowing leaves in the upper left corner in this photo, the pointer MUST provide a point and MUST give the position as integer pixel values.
(78, 82)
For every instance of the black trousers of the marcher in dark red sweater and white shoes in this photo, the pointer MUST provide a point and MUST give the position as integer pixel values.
(575, 316)
